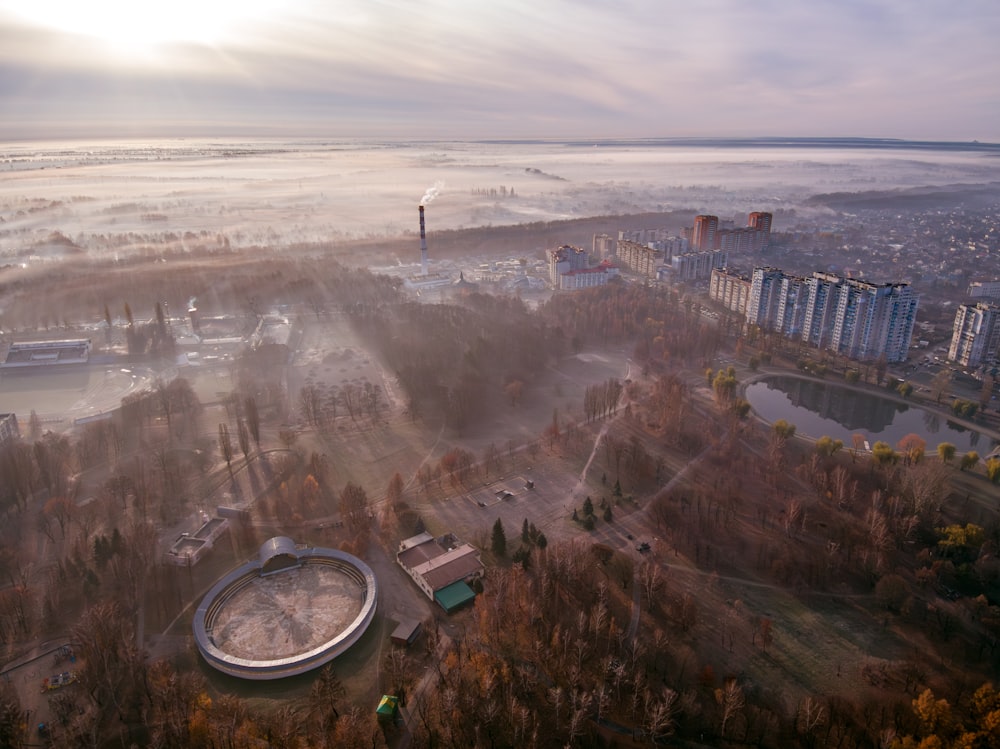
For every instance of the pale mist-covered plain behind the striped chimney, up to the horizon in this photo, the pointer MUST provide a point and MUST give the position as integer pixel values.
(119, 196)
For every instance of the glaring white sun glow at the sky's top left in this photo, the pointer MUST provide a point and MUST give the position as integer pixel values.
(133, 25)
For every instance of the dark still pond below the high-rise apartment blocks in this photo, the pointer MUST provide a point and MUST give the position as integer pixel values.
(821, 408)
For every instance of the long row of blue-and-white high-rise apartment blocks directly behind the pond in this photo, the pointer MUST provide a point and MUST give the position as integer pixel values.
(858, 319)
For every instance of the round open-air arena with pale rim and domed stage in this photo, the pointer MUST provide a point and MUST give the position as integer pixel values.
(288, 611)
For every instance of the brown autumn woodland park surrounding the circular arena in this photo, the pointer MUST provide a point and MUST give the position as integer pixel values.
(792, 593)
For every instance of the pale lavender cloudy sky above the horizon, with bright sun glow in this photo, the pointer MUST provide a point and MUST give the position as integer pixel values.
(446, 69)
